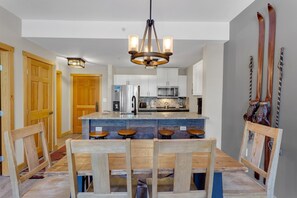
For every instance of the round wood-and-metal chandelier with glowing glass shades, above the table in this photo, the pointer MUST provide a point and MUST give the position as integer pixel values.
(145, 55)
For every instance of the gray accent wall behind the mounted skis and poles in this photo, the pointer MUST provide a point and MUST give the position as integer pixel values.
(242, 44)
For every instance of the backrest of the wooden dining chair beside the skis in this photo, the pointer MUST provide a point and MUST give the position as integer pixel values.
(252, 158)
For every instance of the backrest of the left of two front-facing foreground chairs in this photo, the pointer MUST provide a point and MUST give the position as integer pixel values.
(99, 151)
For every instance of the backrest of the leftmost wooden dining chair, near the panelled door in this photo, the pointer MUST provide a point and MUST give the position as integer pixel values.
(29, 135)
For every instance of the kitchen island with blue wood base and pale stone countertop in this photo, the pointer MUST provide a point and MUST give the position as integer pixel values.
(146, 124)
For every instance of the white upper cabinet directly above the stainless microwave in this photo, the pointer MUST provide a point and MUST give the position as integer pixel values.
(167, 77)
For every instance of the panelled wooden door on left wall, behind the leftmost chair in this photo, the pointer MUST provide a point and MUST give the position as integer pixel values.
(39, 96)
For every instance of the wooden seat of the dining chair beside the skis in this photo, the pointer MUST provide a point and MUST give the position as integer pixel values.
(240, 183)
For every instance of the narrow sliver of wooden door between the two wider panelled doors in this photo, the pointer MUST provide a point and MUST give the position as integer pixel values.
(59, 102)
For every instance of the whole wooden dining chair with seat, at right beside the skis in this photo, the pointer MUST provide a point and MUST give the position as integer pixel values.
(240, 184)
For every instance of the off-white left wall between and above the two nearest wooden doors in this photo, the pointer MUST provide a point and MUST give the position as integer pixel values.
(10, 34)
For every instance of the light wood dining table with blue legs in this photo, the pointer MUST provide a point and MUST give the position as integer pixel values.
(142, 162)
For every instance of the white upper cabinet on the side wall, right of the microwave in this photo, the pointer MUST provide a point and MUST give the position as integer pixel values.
(198, 78)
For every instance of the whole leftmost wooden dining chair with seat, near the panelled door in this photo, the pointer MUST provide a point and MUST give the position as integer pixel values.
(55, 187)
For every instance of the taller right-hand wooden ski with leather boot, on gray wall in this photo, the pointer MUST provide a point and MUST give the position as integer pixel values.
(263, 114)
